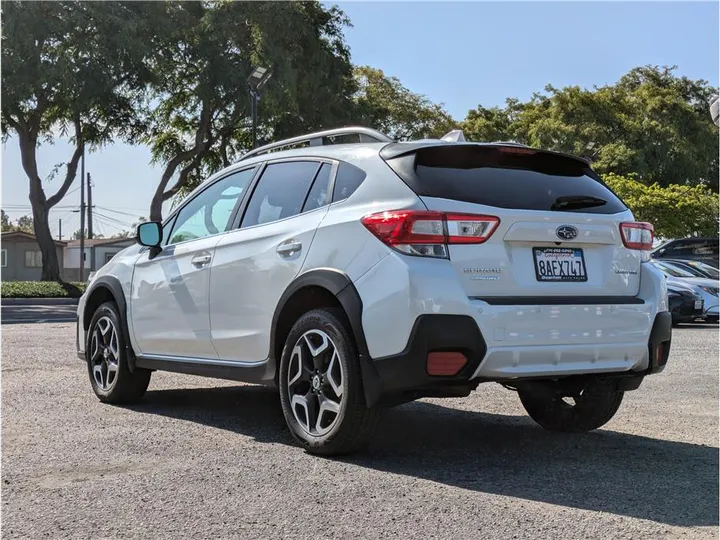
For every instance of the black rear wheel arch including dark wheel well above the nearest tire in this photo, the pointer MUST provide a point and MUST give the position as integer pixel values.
(324, 288)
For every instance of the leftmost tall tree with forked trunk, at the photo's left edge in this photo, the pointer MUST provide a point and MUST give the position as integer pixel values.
(73, 68)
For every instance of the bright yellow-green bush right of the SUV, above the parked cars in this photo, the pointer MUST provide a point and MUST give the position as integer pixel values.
(675, 211)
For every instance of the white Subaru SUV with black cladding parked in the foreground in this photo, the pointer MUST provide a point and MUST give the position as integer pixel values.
(354, 276)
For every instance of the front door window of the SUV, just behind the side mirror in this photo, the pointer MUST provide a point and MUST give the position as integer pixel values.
(210, 211)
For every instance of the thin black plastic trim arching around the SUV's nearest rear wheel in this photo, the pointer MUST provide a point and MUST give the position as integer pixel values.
(340, 285)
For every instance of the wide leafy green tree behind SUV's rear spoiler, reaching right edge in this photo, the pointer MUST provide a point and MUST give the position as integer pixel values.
(651, 123)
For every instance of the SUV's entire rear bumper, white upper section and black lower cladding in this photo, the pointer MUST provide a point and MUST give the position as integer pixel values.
(412, 308)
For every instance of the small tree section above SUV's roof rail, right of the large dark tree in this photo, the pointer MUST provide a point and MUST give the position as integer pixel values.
(386, 105)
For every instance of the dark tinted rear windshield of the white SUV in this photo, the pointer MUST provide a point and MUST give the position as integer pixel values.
(496, 177)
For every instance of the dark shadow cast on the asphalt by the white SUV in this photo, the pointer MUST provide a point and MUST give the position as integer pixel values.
(669, 482)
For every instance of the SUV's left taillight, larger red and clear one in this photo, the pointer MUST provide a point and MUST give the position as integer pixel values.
(428, 233)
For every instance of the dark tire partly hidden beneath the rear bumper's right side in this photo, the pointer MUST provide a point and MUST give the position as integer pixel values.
(593, 408)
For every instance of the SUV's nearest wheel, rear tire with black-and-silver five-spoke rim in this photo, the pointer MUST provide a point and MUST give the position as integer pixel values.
(312, 377)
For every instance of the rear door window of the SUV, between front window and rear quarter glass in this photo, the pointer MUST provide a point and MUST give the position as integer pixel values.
(281, 192)
